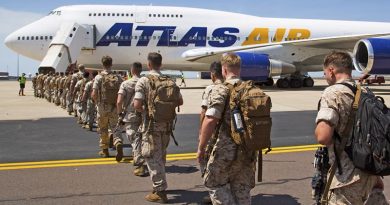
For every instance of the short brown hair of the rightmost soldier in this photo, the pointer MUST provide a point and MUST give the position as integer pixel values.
(341, 61)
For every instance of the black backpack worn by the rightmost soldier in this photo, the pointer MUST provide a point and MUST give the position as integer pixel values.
(369, 145)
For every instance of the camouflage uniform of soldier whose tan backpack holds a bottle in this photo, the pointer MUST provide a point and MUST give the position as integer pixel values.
(230, 174)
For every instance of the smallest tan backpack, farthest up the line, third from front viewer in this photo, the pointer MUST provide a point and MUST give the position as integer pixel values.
(110, 88)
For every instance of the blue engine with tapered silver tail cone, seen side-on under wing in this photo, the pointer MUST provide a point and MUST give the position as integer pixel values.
(259, 67)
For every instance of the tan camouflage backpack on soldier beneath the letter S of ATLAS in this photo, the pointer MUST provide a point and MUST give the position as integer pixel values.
(164, 96)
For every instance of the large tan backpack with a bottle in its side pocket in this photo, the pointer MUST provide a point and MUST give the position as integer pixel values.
(248, 102)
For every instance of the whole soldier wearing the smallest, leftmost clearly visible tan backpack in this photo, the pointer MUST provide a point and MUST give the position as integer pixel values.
(105, 93)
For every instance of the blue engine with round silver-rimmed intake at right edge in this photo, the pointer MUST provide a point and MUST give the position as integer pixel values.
(372, 56)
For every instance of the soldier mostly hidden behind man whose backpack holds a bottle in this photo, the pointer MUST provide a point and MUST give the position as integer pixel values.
(217, 78)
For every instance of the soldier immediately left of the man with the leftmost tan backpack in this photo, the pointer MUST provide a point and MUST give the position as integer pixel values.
(91, 106)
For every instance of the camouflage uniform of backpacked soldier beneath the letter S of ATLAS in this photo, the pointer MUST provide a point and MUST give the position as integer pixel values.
(155, 139)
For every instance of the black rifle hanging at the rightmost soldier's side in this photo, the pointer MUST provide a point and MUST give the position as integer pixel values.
(321, 164)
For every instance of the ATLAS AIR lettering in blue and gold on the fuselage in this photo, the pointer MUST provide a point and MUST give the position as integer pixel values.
(122, 34)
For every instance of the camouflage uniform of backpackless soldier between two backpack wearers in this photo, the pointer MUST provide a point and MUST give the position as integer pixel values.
(132, 119)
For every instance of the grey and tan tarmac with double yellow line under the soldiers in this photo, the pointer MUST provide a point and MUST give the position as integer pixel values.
(46, 158)
